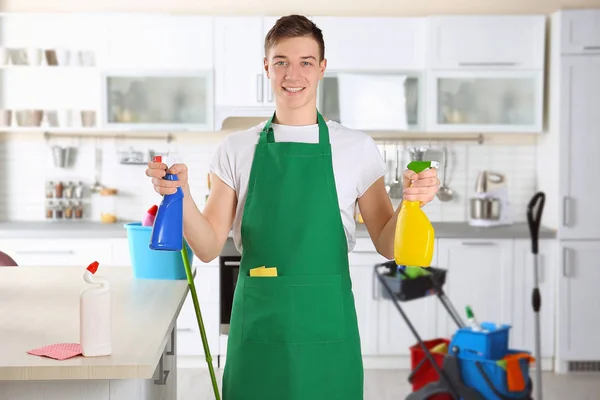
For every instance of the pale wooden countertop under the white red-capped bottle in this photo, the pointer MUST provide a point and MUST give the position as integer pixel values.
(40, 306)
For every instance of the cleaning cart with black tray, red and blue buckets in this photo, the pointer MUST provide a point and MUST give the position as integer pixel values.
(475, 366)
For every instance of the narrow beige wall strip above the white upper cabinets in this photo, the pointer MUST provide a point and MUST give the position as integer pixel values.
(335, 7)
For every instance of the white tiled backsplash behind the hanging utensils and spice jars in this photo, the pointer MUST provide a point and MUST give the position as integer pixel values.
(27, 164)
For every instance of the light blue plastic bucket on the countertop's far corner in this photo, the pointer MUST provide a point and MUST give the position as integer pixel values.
(153, 264)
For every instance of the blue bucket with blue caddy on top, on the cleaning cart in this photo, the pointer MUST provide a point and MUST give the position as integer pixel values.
(480, 355)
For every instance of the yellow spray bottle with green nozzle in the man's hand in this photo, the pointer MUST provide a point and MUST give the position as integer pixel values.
(414, 236)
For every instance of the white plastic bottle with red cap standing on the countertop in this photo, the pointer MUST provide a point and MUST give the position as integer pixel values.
(95, 315)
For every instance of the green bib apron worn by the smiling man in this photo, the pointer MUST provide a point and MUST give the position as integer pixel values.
(294, 336)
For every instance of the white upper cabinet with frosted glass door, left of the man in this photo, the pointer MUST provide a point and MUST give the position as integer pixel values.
(158, 73)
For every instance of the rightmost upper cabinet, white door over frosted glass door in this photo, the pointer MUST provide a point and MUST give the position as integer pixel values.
(486, 74)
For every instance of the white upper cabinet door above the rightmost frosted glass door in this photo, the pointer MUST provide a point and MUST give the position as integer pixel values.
(487, 42)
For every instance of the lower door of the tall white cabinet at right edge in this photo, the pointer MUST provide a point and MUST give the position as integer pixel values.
(578, 320)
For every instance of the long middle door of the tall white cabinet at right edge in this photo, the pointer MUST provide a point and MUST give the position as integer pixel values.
(580, 141)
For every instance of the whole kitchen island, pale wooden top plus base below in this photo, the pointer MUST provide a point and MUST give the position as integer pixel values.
(40, 306)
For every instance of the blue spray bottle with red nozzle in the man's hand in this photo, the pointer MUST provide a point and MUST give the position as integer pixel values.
(167, 232)
